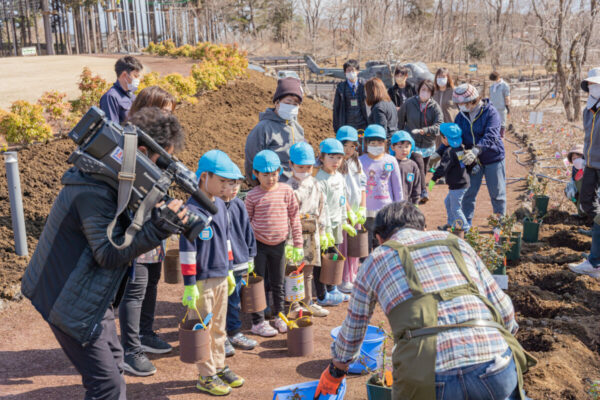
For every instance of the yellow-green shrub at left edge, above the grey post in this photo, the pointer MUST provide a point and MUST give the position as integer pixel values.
(25, 123)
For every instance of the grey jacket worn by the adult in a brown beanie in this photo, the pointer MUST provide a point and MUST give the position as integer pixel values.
(272, 133)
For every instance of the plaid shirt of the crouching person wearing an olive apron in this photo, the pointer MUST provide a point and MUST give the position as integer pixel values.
(381, 278)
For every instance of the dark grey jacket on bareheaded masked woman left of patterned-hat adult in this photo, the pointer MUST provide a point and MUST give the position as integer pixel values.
(410, 117)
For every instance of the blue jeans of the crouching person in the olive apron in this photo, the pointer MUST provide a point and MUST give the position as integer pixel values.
(472, 382)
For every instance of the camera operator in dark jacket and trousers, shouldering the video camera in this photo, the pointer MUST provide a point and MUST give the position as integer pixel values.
(76, 276)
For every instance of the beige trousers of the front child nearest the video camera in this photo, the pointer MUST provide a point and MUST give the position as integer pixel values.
(213, 299)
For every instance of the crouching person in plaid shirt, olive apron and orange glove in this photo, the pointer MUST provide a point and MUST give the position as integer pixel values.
(452, 325)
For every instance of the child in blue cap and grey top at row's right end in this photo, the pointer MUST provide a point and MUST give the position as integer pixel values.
(402, 147)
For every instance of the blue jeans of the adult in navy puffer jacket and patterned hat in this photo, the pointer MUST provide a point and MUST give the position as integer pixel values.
(495, 178)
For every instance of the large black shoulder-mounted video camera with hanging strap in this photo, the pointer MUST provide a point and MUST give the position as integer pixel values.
(100, 153)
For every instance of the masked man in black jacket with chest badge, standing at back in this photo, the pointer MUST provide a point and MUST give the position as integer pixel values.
(349, 107)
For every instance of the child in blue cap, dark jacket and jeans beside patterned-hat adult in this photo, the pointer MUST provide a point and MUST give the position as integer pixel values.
(456, 174)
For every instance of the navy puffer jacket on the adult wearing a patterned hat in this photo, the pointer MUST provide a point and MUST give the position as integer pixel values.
(484, 132)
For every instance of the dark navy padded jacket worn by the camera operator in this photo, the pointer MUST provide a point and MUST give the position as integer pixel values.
(75, 273)
